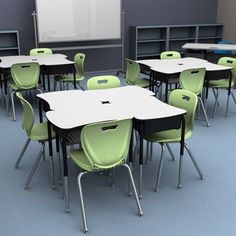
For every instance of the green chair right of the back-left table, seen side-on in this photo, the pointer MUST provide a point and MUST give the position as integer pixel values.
(79, 60)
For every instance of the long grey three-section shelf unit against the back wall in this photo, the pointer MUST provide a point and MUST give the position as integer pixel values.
(148, 42)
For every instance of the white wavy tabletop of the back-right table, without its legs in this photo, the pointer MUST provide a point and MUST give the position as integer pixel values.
(172, 66)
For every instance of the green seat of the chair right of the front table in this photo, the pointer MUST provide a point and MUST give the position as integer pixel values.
(167, 136)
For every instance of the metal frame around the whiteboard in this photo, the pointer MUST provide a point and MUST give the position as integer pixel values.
(78, 40)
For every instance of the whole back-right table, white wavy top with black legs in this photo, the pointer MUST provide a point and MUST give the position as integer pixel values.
(165, 70)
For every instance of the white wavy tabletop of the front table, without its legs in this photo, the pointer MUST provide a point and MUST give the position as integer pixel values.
(76, 108)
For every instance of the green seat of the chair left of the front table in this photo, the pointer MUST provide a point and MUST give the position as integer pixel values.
(39, 132)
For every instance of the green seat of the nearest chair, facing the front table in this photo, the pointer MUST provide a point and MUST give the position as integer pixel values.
(79, 157)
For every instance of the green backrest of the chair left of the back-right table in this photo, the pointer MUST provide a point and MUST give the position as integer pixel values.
(132, 71)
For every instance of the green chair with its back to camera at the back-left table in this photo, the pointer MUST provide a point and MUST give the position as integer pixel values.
(25, 77)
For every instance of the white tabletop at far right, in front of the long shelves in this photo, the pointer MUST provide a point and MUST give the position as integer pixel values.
(209, 46)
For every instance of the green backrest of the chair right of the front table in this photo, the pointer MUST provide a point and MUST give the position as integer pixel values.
(188, 101)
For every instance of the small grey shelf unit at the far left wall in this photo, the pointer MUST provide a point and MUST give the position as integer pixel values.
(9, 43)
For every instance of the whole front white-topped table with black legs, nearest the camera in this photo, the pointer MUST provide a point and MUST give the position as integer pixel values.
(69, 110)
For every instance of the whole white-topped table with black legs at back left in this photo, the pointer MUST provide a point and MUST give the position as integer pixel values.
(46, 62)
